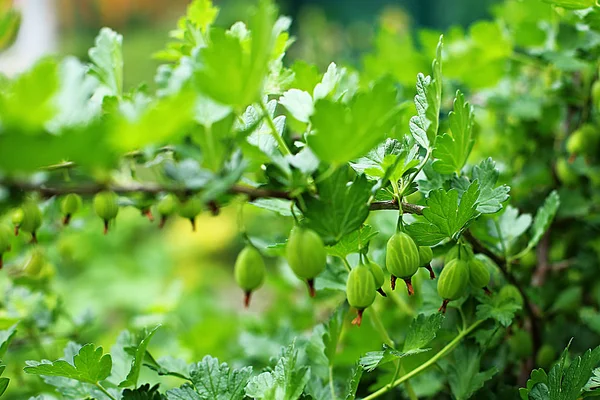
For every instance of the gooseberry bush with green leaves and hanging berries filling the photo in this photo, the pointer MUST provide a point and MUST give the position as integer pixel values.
(439, 204)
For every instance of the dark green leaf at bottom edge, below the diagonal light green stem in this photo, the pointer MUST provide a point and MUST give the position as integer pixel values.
(463, 371)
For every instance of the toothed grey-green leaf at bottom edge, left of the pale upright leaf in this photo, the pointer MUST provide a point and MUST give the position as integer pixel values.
(216, 381)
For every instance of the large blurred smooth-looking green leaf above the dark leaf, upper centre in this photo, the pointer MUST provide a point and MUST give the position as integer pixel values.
(343, 132)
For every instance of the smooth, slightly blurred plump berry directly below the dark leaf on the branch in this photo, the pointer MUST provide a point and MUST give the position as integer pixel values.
(306, 255)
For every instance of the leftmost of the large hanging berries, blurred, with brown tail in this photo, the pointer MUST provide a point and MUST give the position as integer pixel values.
(249, 271)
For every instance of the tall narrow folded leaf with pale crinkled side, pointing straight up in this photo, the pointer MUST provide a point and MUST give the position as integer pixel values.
(428, 100)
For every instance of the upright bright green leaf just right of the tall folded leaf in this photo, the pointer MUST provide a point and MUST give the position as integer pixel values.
(452, 150)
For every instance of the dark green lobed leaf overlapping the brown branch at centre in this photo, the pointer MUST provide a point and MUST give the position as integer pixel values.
(340, 209)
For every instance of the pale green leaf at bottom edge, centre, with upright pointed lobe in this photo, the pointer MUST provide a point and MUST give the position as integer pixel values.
(285, 382)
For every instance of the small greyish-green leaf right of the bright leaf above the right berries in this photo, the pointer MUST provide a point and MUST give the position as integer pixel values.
(490, 197)
